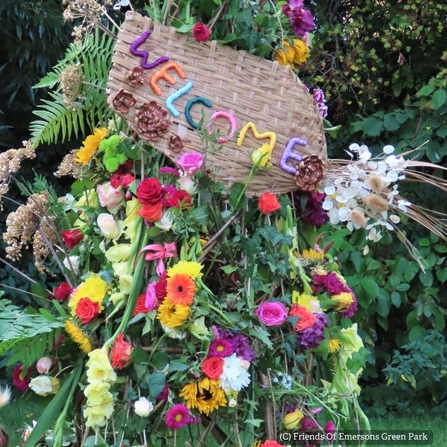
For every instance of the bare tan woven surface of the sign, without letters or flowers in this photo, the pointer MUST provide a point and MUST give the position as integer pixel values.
(250, 88)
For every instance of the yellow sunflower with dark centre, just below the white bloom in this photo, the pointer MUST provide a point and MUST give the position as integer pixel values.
(206, 395)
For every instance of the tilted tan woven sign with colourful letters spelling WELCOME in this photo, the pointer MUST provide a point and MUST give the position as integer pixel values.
(164, 84)
